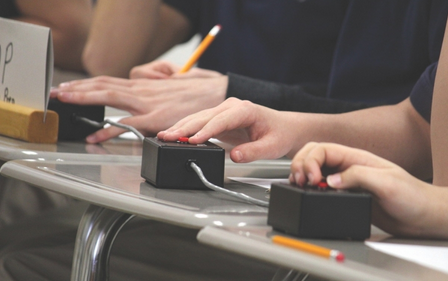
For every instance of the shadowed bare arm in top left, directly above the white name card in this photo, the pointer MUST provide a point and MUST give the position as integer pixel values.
(69, 21)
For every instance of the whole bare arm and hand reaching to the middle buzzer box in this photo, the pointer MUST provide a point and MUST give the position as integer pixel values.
(259, 132)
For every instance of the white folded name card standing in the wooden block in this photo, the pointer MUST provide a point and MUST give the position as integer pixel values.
(26, 63)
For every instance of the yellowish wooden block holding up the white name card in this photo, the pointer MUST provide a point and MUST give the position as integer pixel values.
(27, 123)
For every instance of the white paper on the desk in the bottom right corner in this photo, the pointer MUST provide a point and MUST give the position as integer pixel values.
(429, 256)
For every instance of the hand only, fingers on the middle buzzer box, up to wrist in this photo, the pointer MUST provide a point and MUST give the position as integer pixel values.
(258, 132)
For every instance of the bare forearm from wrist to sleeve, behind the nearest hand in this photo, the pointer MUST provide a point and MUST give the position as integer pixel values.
(397, 133)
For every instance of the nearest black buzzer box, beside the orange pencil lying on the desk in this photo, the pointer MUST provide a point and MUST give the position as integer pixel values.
(313, 212)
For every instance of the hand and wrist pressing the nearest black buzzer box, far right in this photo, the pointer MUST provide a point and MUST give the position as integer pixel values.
(403, 205)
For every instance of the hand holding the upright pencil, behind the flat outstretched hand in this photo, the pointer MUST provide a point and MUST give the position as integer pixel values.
(164, 70)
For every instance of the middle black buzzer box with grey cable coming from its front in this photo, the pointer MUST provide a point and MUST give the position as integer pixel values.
(167, 164)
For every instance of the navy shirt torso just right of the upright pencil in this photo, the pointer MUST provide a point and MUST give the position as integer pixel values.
(285, 41)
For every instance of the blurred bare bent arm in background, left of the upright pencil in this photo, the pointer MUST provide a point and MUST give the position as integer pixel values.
(125, 34)
